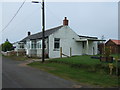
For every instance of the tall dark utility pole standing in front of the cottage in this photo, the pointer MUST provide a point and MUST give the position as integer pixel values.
(43, 31)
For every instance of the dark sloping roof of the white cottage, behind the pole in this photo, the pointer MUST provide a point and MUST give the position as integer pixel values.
(39, 35)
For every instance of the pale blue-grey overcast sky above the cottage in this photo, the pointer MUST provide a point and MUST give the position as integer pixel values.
(85, 18)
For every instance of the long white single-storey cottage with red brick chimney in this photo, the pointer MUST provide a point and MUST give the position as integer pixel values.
(61, 36)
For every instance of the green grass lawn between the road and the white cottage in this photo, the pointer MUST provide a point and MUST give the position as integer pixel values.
(82, 69)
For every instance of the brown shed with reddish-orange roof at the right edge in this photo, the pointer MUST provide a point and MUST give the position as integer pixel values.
(114, 46)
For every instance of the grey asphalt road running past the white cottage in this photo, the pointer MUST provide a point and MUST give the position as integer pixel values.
(17, 75)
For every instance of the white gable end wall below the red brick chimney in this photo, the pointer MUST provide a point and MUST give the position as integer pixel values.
(67, 39)
